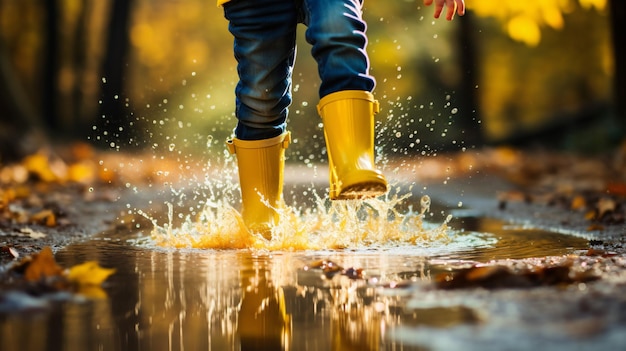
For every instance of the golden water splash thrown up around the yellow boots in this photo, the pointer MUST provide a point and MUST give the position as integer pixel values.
(356, 224)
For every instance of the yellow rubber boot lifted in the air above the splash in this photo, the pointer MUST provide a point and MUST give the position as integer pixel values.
(348, 118)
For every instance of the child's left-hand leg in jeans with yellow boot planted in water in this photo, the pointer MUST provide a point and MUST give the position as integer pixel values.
(265, 32)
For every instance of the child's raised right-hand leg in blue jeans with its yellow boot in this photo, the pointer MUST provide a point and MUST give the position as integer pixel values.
(337, 32)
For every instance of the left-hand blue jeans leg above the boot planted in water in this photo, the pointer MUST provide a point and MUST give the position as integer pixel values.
(264, 32)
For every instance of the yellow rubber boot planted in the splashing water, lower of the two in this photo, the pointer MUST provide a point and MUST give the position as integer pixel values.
(261, 166)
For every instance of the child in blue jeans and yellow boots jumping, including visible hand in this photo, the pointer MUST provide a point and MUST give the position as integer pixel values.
(265, 46)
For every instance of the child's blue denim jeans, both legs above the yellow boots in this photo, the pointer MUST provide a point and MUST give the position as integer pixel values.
(265, 49)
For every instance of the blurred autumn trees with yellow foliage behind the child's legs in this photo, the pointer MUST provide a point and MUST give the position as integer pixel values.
(160, 74)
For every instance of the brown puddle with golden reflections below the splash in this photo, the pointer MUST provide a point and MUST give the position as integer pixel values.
(199, 299)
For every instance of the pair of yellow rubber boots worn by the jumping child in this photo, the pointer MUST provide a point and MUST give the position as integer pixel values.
(348, 118)
